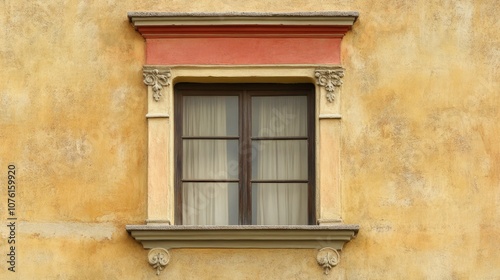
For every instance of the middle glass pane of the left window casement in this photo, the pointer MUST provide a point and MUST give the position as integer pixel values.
(209, 159)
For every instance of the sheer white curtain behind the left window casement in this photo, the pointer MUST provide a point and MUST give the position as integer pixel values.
(204, 203)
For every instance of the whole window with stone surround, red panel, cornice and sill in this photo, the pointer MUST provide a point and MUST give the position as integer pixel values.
(238, 159)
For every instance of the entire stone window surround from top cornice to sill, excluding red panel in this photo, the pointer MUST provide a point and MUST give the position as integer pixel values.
(159, 234)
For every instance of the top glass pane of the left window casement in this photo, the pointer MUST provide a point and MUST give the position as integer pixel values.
(210, 116)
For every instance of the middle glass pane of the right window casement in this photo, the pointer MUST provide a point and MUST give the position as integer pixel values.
(279, 160)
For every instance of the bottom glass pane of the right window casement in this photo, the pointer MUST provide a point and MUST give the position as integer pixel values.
(279, 204)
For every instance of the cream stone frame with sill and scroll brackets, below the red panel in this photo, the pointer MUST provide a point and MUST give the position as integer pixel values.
(159, 234)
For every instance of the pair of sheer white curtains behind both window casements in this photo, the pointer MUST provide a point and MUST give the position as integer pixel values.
(273, 203)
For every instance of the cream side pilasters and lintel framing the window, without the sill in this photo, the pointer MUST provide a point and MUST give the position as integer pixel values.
(161, 120)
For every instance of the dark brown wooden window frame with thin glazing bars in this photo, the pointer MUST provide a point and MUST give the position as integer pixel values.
(245, 92)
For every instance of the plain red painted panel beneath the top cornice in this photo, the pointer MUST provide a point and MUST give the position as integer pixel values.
(227, 51)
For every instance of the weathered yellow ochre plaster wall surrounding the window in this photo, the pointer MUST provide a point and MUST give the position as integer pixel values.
(420, 158)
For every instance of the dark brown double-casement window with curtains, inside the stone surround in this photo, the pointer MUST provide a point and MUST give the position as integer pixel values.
(244, 154)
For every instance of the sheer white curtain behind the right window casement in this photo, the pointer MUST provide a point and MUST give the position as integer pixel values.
(279, 203)
